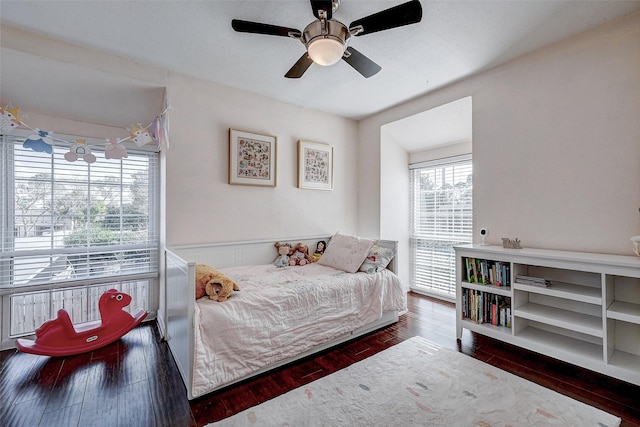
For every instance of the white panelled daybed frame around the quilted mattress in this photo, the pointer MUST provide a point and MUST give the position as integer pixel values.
(180, 264)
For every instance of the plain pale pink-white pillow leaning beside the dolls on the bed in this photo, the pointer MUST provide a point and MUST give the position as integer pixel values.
(346, 253)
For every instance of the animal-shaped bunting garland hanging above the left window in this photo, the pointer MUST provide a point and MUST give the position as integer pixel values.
(42, 141)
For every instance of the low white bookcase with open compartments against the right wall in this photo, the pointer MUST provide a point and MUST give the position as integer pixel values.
(588, 315)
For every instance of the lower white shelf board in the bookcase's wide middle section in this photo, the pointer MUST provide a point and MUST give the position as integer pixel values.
(574, 321)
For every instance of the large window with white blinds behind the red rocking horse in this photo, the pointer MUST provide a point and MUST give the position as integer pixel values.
(69, 229)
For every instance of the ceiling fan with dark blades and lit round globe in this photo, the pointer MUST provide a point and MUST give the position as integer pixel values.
(326, 39)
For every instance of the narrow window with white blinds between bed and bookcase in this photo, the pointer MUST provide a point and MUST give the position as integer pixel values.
(441, 217)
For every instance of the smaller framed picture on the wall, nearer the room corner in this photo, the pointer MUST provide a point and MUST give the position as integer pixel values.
(315, 166)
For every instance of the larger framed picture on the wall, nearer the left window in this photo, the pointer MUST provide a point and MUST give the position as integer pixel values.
(252, 158)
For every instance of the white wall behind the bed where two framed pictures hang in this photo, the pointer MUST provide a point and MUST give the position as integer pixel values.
(202, 207)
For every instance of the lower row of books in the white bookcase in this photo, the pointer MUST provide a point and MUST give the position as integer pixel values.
(485, 307)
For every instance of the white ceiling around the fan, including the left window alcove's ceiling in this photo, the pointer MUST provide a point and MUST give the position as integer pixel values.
(454, 40)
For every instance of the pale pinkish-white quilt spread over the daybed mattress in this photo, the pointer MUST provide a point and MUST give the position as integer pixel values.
(282, 312)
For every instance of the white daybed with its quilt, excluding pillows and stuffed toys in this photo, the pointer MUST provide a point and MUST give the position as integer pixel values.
(302, 310)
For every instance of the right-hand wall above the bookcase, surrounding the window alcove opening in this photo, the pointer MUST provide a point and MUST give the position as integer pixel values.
(556, 144)
